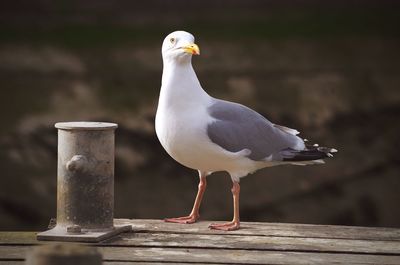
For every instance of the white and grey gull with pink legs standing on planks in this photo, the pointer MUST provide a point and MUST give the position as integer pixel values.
(210, 135)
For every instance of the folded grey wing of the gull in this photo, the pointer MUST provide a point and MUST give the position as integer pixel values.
(238, 127)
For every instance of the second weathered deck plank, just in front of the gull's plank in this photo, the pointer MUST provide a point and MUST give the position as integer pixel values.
(255, 243)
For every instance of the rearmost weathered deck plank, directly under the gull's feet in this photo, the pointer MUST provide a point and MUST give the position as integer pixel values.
(269, 229)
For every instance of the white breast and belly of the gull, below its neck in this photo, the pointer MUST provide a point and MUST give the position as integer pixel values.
(184, 136)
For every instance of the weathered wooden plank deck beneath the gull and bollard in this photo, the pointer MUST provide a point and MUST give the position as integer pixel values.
(156, 242)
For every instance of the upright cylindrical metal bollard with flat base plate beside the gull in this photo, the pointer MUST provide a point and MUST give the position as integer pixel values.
(85, 183)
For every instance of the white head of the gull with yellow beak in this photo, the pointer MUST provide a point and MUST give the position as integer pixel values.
(179, 46)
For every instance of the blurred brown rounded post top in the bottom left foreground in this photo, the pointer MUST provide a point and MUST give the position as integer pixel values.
(63, 254)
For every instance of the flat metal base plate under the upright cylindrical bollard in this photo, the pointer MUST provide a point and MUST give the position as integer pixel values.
(60, 234)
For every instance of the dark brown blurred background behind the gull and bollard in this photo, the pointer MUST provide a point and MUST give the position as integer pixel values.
(329, 69)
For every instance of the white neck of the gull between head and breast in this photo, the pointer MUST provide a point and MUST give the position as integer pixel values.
(180, 86)
